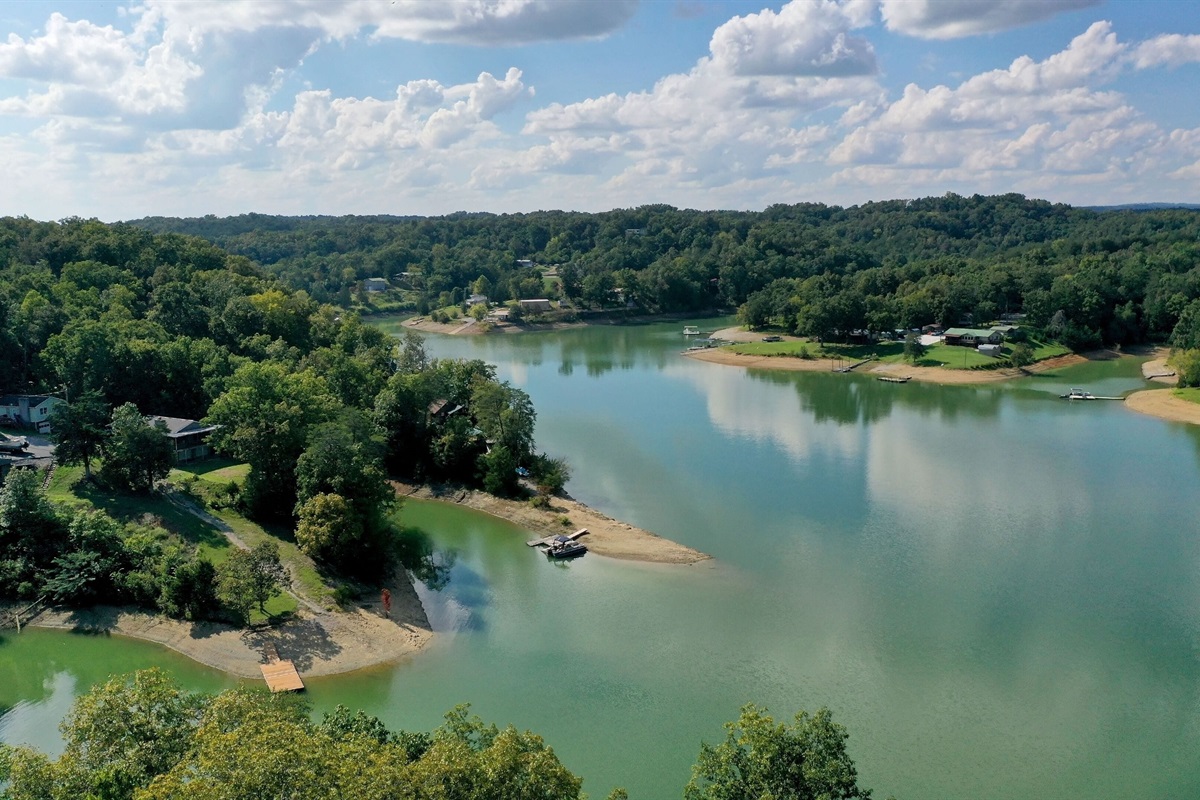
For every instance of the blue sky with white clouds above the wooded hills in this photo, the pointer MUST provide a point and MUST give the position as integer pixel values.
(189, 107)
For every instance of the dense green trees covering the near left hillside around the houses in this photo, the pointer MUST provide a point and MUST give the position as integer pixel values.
(125, 324)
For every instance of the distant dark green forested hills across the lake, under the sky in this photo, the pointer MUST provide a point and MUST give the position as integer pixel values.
(1115, 276)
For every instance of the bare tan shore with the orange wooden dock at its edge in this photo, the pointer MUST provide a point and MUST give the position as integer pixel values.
(320, 643)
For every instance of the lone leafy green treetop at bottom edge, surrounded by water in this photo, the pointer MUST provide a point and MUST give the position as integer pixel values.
(759, 760)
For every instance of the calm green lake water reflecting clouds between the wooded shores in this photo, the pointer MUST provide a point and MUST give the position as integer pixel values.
(998, 592)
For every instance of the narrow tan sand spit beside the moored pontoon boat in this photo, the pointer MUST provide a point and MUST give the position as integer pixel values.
(607, 537)
